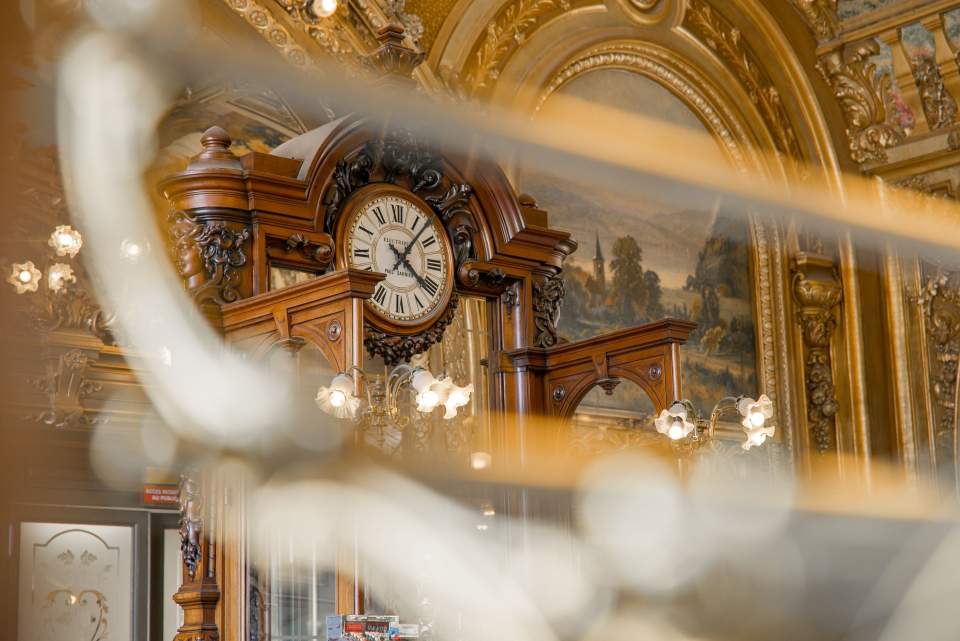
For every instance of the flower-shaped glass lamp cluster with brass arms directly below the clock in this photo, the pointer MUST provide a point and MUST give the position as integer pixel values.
(383, 392)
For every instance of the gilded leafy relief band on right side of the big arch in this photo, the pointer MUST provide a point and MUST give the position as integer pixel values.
(728, 43)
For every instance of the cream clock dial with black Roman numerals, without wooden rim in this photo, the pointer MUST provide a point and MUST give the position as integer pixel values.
(393, 235)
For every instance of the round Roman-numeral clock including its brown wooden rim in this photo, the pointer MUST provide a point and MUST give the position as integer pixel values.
(385, 228)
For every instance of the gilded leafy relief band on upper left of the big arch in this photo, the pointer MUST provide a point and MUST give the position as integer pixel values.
(504, 34)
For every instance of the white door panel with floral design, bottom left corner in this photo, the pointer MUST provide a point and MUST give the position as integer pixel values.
(76, 582)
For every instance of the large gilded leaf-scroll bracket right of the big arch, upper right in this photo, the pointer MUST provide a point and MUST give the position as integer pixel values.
(862, 94)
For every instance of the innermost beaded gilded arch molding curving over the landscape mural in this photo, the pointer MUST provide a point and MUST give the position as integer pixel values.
(667, 70)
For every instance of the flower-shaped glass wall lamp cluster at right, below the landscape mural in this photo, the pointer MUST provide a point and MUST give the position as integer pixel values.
(681, 422)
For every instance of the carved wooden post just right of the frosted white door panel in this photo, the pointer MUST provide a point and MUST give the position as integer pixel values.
(199, 594)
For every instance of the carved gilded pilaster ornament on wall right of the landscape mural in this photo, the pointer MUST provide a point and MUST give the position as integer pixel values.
(817, 289)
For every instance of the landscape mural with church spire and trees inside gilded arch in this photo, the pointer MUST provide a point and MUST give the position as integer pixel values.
(640, 261)
